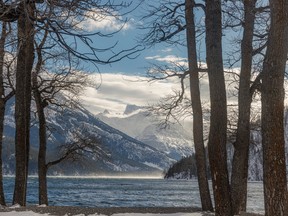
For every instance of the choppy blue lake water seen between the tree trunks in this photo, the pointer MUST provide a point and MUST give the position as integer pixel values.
(124, 192)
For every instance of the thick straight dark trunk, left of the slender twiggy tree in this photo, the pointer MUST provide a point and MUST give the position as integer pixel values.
(23, 100)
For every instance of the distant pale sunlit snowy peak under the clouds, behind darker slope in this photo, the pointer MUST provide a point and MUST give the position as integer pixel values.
(138, 123)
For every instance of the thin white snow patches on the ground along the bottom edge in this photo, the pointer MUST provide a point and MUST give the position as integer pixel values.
(30, 213)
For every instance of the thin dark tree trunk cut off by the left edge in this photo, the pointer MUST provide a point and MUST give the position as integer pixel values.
(2, 107)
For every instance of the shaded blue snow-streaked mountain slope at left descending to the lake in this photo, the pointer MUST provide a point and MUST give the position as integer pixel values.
(124, 153)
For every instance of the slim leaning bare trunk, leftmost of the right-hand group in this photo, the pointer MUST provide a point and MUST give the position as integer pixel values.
(197, 109)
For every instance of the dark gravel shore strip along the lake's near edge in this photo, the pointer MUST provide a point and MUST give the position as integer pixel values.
(75, 210)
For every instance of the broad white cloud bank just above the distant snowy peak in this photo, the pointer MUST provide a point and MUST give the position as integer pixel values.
(117, 90)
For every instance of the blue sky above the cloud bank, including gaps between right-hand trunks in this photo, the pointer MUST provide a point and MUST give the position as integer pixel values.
(132, 33)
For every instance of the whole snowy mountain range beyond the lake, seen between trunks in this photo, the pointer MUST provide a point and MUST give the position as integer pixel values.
(133, 140)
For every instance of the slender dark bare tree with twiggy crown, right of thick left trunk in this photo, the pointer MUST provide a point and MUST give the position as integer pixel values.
(48, 89)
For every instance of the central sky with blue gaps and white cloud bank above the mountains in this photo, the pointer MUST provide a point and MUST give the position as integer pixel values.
(124, 82)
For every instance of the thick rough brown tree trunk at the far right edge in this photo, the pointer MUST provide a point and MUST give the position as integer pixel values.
(274, 164)
